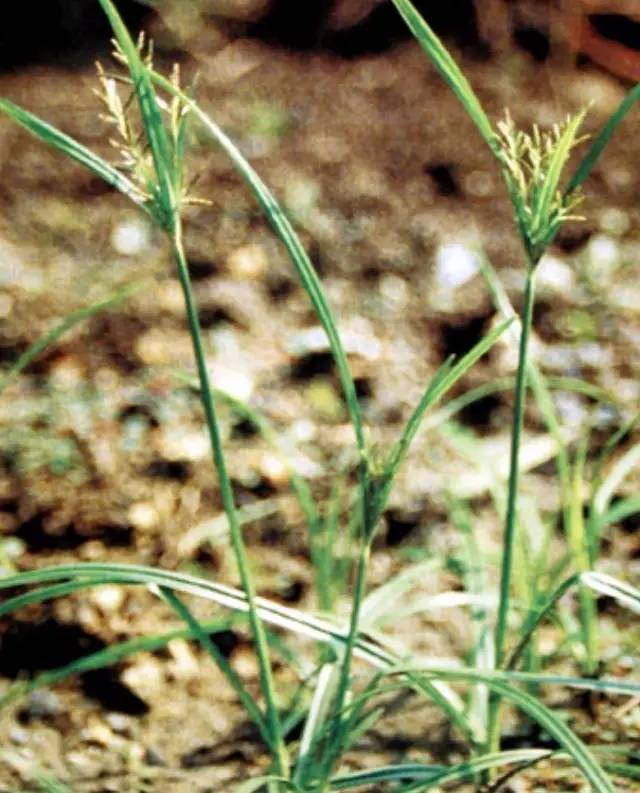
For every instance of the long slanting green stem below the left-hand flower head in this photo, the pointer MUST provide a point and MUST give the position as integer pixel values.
(226, 491)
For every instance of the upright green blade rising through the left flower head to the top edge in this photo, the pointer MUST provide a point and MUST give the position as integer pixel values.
(150, 113)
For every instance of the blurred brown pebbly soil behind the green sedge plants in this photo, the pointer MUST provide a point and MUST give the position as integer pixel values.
(104, 454)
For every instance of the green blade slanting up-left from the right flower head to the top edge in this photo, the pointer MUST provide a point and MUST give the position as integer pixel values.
(448, 68)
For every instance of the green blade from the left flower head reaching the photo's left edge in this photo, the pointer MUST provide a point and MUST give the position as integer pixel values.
(75, 151)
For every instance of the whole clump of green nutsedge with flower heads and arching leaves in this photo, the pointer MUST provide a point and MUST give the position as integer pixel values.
(148, 114)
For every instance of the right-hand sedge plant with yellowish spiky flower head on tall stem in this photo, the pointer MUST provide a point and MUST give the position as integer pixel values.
(532, 165)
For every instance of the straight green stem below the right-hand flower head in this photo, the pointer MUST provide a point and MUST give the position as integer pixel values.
(512, 500)
